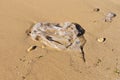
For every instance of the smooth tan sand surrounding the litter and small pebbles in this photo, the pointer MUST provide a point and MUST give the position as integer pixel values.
(102, 59)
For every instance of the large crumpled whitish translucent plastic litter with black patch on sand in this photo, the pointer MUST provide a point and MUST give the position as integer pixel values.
(62, 36)
